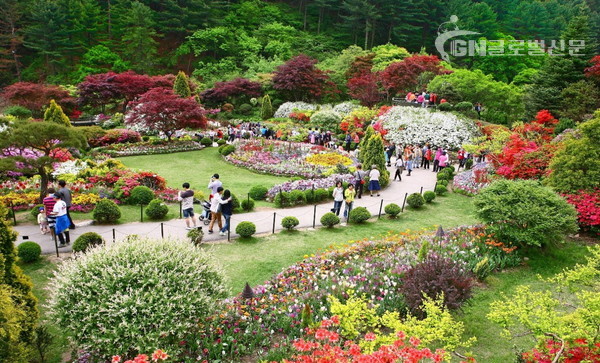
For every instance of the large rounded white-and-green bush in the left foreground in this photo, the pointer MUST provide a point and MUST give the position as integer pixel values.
(134, 296)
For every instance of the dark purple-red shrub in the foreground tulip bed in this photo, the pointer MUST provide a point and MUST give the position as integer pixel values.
(433, 277)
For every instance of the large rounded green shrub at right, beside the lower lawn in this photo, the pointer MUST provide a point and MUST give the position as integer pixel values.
(524, 212)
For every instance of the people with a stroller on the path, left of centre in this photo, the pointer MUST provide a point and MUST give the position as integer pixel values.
(221, 206)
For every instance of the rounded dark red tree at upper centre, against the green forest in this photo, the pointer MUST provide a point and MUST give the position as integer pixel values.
(301, 80)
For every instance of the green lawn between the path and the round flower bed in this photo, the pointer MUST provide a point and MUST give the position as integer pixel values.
(196, 168)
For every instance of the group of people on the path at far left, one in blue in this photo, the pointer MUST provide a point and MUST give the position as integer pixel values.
(54, 216)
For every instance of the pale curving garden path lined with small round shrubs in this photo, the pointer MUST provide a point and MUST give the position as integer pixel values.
(263, 219)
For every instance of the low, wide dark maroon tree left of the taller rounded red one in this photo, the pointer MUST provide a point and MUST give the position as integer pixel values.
(235, 91)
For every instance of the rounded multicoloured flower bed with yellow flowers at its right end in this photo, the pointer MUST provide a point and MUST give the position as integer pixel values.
(285, 158)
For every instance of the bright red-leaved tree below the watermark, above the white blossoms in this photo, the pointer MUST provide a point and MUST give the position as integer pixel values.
(403, 76)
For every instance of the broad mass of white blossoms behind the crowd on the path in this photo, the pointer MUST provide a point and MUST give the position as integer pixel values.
(414, 125)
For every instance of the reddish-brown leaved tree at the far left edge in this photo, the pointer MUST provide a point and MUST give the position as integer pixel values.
(34, 96)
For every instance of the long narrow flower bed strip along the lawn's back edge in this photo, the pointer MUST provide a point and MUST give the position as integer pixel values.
(150, 147)
